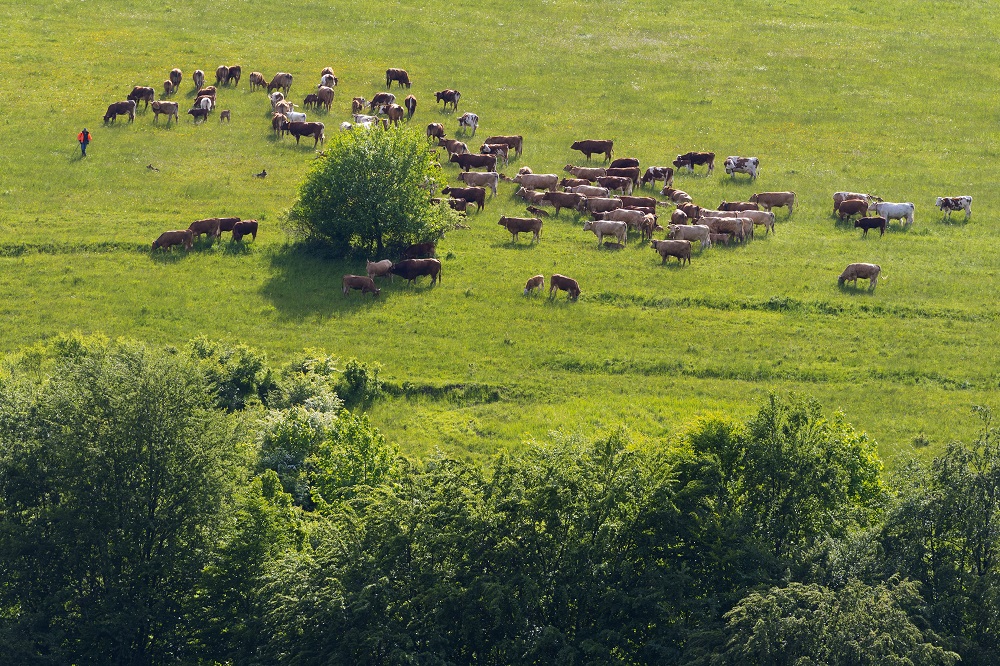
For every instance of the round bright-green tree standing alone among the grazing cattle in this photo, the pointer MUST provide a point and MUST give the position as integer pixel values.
(371, 191)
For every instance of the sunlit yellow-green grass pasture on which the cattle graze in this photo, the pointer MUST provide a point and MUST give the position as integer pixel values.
(896, 99)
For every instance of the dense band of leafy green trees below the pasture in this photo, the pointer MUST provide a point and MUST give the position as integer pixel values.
(198, 506)
